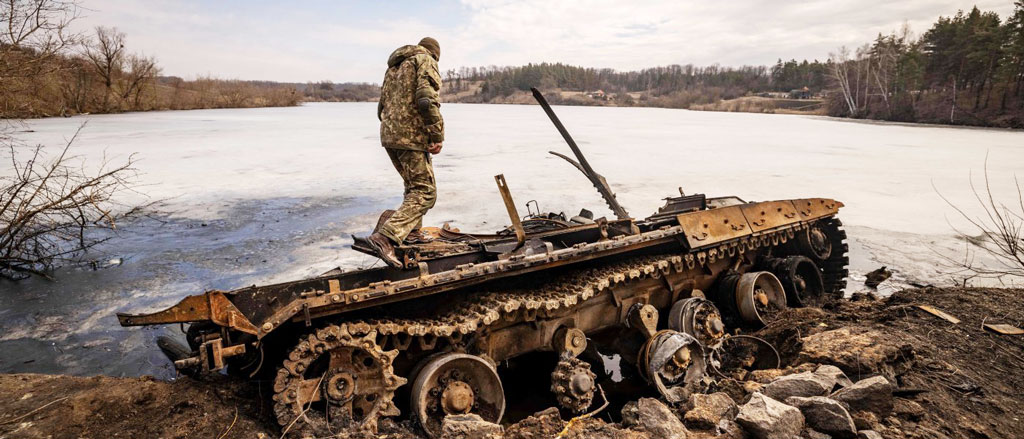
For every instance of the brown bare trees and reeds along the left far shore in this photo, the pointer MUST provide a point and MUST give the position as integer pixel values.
(48, 70)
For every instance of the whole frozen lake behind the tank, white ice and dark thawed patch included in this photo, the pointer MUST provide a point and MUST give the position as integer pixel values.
(267, 195)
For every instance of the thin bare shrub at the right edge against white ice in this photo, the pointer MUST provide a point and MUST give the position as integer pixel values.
(1000, 233)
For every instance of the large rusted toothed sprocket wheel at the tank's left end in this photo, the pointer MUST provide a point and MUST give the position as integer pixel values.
(335, 380)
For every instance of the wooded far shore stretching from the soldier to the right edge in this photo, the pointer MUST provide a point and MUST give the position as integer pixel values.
(966, 70)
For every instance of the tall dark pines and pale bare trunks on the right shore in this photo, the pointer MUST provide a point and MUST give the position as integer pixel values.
(967, 69)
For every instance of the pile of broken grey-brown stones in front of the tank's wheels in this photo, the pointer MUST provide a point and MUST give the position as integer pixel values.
(819, 403)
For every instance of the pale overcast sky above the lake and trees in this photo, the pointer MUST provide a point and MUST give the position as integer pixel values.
(346, 41)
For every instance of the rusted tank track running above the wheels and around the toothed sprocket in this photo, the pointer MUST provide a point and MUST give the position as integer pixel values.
(482, 310)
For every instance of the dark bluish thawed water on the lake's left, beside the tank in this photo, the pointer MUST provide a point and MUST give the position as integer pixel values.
(69, 326)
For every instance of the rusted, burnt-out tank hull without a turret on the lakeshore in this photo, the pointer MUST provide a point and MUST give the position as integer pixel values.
(348, 349)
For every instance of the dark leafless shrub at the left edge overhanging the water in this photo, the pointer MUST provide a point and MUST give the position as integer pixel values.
(51, 210)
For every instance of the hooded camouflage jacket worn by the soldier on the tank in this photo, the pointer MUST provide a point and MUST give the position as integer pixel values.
(410, 105)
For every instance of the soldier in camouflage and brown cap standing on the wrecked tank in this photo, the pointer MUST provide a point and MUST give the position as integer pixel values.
(412, 129)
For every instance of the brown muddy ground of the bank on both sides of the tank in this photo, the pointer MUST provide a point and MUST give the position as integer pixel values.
(954, 381)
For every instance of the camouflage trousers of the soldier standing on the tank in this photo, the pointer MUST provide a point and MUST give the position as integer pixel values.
(421, 193)
